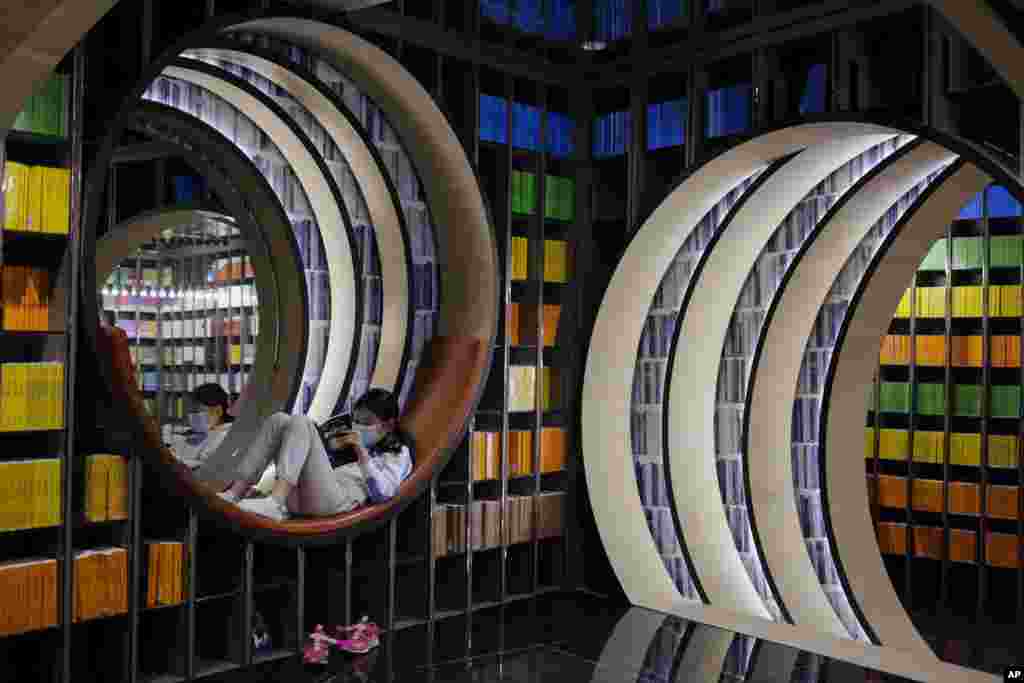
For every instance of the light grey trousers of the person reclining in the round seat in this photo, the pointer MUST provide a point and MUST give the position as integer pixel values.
(293, 445)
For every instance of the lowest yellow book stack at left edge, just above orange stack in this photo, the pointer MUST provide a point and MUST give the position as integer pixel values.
(30, 494)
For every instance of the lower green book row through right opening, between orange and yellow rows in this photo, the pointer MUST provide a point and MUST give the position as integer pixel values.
(895, 398)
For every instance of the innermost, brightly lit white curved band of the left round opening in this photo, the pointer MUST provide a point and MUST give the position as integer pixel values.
(342, 270)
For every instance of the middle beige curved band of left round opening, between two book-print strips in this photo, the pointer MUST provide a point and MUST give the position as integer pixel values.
(383, 214)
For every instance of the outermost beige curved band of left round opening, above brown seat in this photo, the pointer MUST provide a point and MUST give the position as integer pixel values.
(467, 259)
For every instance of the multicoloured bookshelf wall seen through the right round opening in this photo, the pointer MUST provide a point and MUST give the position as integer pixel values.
(943, 448)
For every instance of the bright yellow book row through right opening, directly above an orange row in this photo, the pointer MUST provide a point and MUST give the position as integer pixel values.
(966, 302)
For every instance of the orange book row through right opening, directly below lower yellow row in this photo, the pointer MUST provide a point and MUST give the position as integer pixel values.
(928, 495)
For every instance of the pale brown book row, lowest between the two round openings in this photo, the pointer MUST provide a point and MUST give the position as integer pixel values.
(486, 520)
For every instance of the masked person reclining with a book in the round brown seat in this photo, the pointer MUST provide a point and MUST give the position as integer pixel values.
(306, 482)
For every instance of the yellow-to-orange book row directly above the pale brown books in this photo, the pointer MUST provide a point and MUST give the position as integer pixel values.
(486, 453)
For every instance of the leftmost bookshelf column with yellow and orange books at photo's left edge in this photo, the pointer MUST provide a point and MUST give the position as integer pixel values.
(41, 566)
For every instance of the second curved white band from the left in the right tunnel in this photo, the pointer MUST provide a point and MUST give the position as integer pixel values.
(691, 397)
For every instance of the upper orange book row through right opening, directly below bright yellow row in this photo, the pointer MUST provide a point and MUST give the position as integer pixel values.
(966, 352)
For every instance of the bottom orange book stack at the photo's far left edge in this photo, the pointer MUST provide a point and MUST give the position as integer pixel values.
(30, 590)
